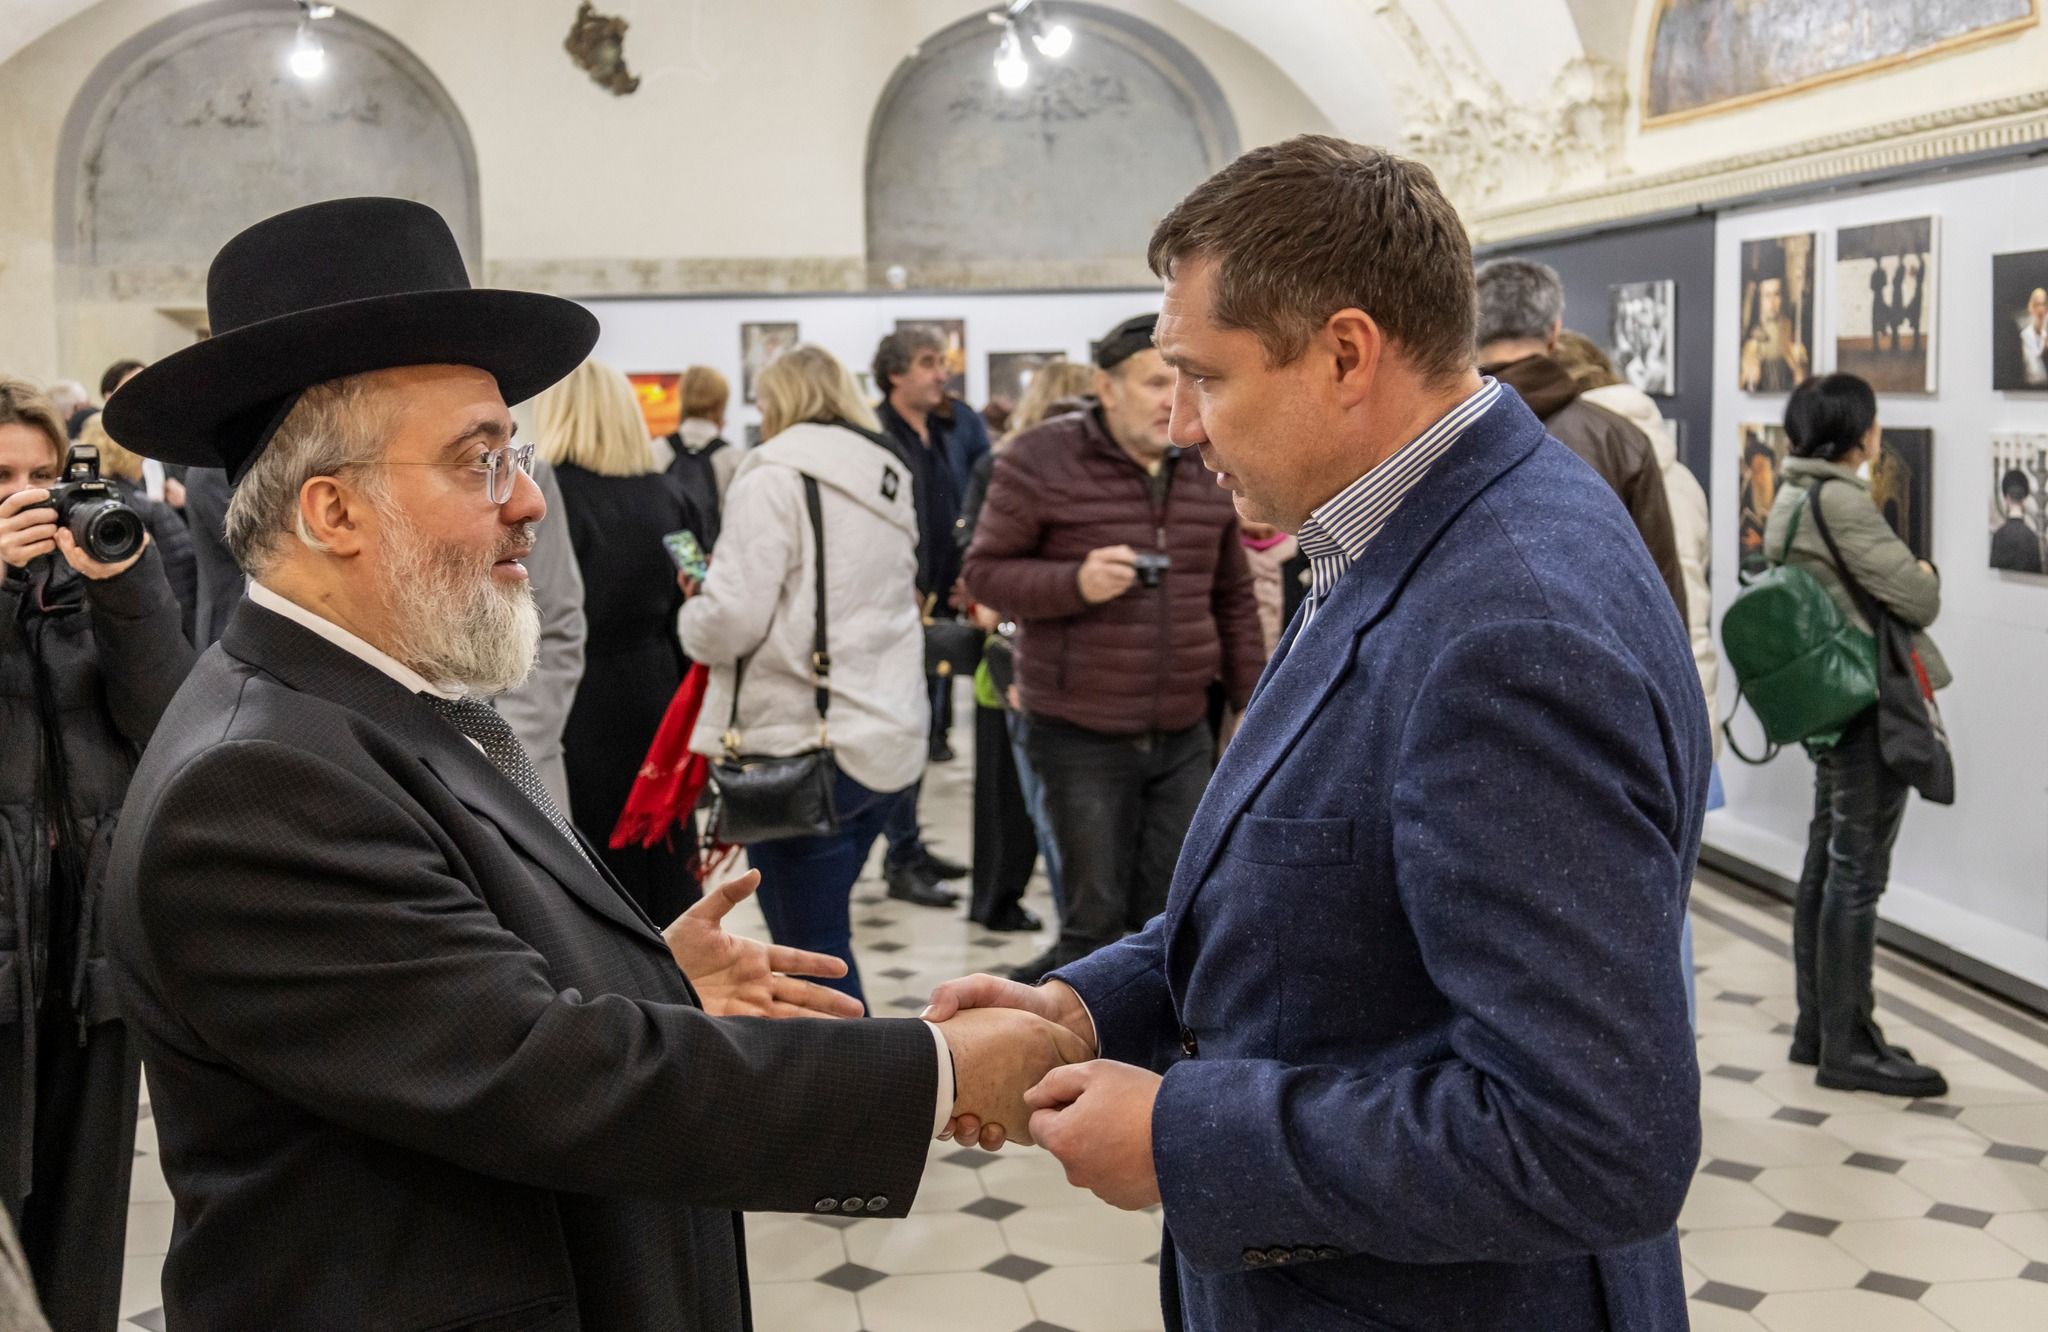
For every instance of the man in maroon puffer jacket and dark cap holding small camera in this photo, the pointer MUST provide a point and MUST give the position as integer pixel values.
(1121, 565)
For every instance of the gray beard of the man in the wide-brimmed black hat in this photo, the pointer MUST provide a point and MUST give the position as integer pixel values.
(452, 620)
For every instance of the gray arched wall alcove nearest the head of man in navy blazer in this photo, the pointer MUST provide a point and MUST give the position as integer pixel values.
(1052, 185)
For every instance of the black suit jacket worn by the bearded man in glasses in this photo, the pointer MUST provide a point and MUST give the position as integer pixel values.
(415, 1065)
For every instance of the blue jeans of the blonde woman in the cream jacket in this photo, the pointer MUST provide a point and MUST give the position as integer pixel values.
(808, 884)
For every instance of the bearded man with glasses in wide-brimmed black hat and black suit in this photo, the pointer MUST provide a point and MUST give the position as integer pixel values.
(415, 1058)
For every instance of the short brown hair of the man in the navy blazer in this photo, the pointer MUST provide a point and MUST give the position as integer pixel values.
(1308, 228)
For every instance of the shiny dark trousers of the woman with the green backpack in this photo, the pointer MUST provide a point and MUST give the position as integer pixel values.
(1859, 806)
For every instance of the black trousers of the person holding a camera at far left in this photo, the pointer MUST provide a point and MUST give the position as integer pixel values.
(75, 1220)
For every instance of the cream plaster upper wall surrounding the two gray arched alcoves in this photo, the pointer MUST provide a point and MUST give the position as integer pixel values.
(746, 138)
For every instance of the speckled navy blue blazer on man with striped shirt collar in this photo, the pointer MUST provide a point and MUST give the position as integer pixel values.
(1416, 993)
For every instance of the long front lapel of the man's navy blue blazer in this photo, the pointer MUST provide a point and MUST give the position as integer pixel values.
(1318, 657)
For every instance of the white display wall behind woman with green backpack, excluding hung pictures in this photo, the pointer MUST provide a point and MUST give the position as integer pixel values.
(1975, 874)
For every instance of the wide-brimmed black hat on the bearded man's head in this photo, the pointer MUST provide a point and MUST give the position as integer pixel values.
(335, 290)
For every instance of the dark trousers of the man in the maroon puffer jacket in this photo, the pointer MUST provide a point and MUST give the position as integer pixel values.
(1119, 808)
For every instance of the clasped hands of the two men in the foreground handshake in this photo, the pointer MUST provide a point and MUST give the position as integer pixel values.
(1027, 1071)
